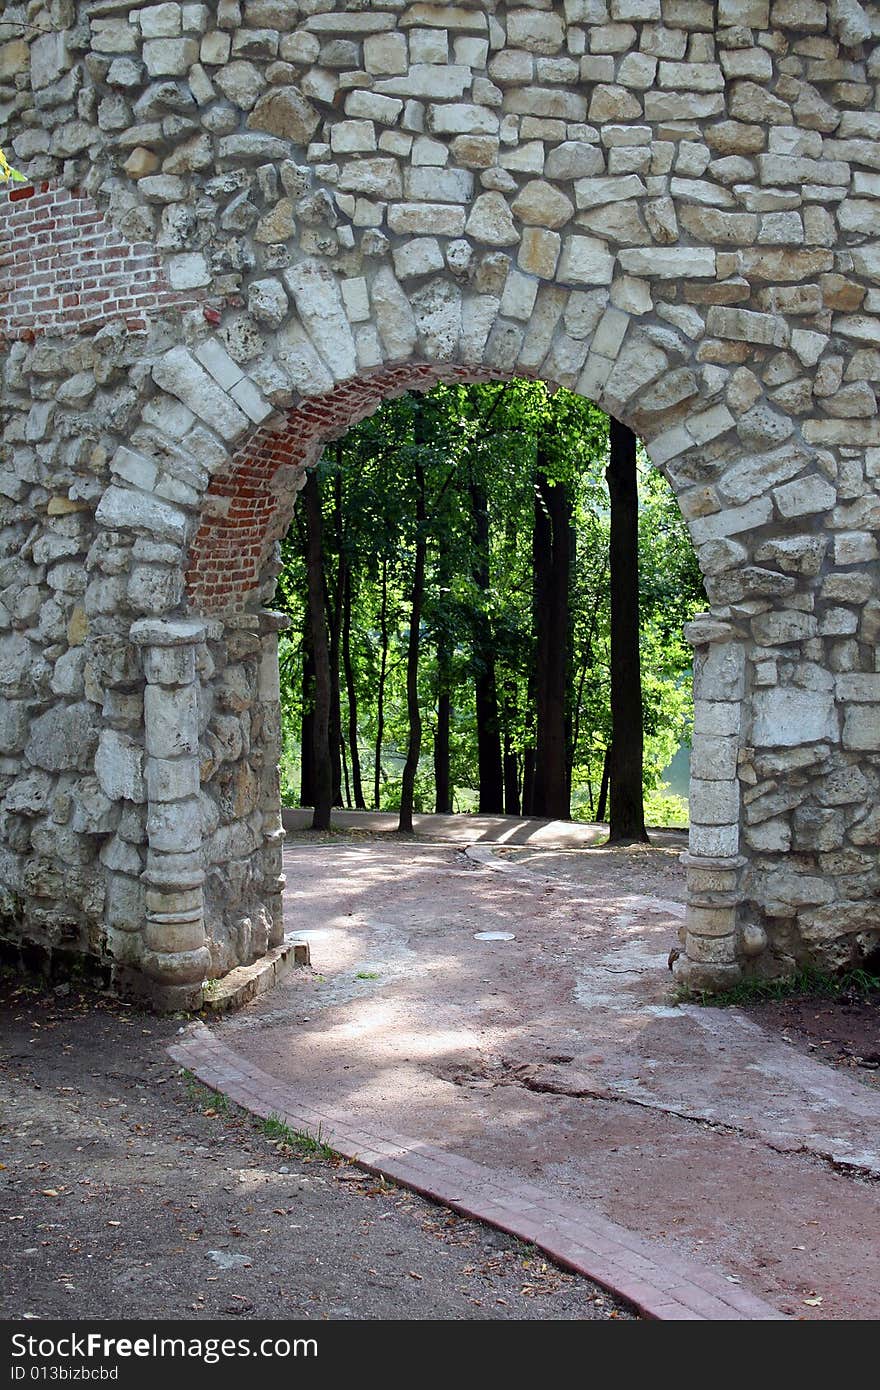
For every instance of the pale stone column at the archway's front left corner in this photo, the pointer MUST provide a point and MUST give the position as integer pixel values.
(176, 958)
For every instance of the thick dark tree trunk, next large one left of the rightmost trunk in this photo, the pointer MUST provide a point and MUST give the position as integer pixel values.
(553, 553)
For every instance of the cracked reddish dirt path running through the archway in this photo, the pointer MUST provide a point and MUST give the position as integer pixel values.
(558, 1057)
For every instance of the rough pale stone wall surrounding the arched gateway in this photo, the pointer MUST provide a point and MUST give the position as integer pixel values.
(668, 206)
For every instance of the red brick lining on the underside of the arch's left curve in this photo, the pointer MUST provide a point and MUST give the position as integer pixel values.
(244, 514)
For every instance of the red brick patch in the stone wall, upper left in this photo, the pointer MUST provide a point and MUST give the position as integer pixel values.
(66, 270)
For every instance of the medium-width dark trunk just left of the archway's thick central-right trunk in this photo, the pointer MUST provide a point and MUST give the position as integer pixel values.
(486, 689)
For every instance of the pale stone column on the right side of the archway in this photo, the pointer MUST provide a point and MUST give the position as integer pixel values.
(714, 862)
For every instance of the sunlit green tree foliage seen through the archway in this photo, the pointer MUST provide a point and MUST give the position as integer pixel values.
(482, 441)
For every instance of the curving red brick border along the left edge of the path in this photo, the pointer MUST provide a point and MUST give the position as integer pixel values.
(660, 1284)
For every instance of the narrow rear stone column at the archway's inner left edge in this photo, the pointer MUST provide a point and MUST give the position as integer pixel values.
(270, 796)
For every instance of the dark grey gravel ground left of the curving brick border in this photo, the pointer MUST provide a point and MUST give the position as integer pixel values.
(127, 1192)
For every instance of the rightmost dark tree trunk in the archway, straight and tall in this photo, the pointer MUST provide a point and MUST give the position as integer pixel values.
(628, 810)
